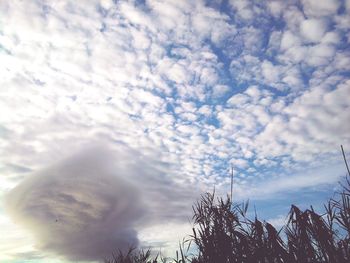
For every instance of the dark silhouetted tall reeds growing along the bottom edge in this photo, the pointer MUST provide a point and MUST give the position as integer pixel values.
(223, 233)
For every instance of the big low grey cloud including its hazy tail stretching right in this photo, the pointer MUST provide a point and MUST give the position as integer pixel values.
(89, 205)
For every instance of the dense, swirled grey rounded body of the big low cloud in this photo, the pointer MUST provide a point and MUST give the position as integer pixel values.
(88, 210)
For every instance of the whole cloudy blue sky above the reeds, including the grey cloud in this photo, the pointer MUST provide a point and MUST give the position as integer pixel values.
(116, 115)
